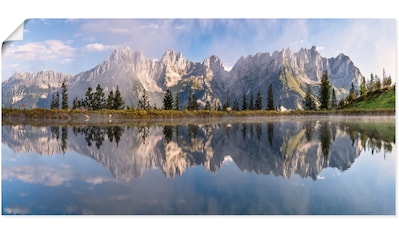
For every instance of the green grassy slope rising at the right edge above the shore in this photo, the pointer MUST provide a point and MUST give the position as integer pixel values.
(378, 100)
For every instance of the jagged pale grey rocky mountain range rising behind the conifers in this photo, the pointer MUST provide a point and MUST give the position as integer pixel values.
(289, 73)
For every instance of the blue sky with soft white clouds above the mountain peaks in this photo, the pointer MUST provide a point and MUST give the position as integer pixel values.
(73, 45)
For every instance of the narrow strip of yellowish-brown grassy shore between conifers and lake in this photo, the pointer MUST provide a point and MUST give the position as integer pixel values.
(47, 116)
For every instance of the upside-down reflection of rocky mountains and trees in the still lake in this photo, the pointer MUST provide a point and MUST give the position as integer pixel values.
(284, 149)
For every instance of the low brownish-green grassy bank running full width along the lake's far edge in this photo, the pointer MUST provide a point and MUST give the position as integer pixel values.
(41, 117)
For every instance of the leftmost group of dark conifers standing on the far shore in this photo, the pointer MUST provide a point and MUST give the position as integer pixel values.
(92, 100)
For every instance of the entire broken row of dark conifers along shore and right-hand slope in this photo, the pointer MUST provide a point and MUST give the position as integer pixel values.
(326, 99)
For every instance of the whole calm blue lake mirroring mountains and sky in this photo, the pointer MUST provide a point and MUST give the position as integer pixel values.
(231, 166)
